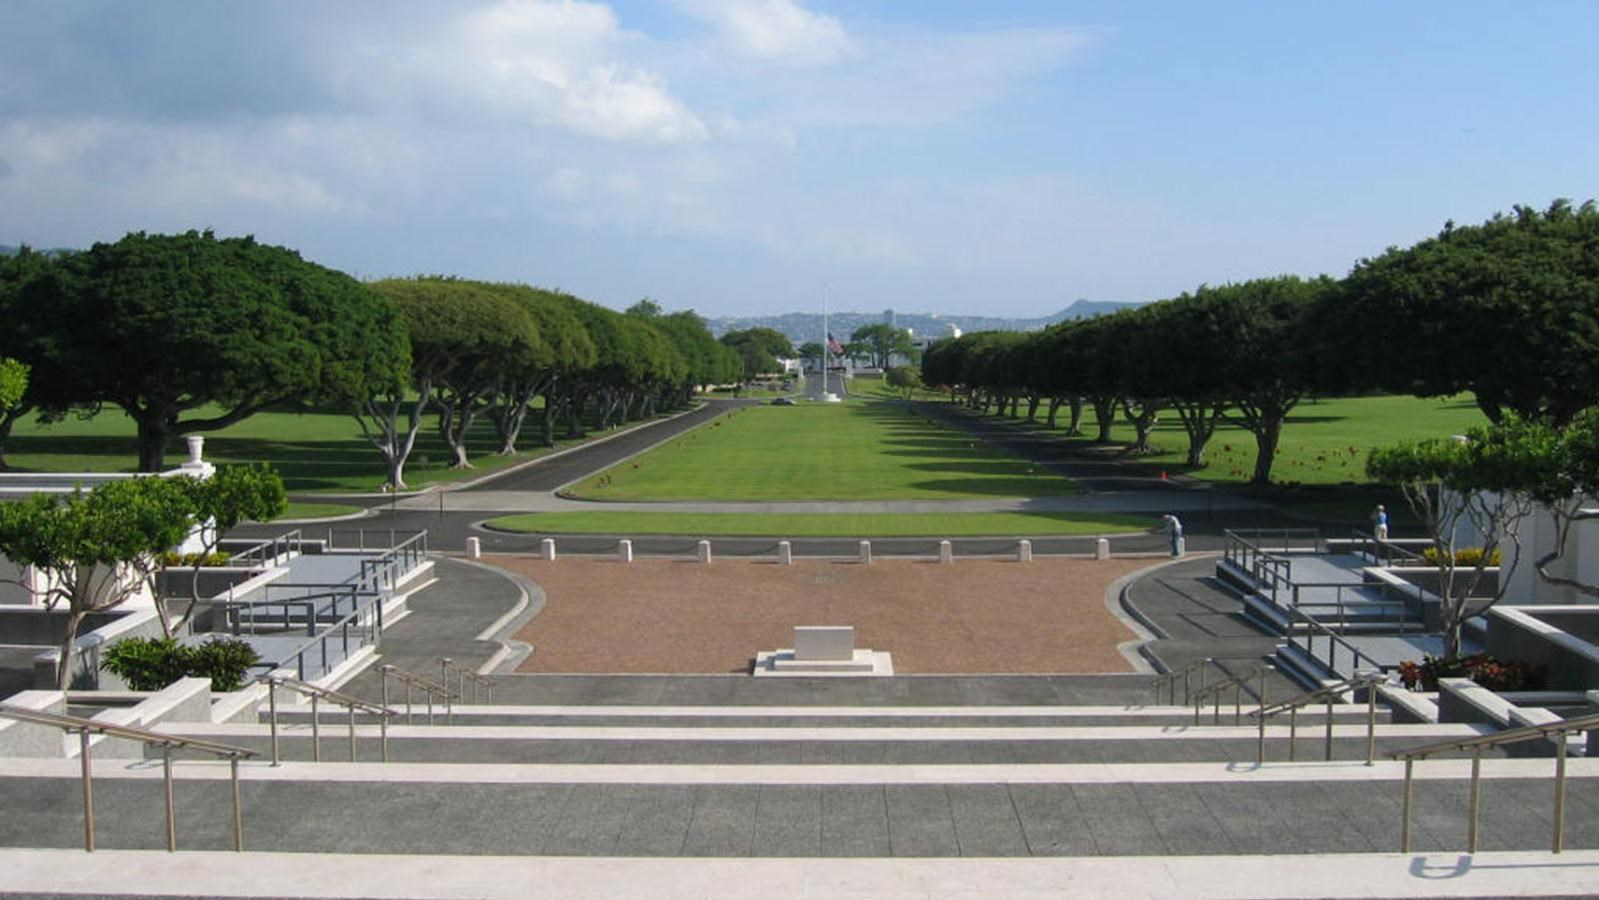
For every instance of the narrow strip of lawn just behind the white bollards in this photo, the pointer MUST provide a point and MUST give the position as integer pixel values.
(922, 525)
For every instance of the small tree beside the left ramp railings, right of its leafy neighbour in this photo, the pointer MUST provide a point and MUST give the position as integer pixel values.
(231, 496)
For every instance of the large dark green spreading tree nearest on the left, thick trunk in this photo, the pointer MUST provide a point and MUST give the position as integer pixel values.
(165, 327)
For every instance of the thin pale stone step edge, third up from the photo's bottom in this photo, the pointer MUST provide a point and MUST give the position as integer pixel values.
(843, 735)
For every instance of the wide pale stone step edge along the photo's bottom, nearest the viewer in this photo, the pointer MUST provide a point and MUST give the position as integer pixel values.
(1299, 877)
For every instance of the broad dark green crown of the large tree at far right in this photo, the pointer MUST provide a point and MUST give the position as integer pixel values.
(1507, 309)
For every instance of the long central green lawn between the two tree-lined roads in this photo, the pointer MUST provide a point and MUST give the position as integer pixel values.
(861, 450)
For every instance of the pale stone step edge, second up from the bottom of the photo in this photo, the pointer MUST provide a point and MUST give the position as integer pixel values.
(803, 775)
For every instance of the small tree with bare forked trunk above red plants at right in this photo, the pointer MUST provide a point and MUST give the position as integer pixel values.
(1481, 488)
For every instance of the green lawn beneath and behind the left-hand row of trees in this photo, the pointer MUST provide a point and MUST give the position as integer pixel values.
(313, 452)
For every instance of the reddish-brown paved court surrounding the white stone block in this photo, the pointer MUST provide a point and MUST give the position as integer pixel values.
(682, 616)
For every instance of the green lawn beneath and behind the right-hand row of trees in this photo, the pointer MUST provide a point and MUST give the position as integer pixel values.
(1323, 442)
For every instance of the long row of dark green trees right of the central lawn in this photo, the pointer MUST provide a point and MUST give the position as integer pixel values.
(1507, 311)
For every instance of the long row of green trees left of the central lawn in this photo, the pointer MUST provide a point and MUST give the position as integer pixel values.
(194, 333)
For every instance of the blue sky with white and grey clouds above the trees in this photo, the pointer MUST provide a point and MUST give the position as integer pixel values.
(752, 157)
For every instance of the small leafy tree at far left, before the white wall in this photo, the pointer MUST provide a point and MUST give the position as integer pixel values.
(94, 549)
